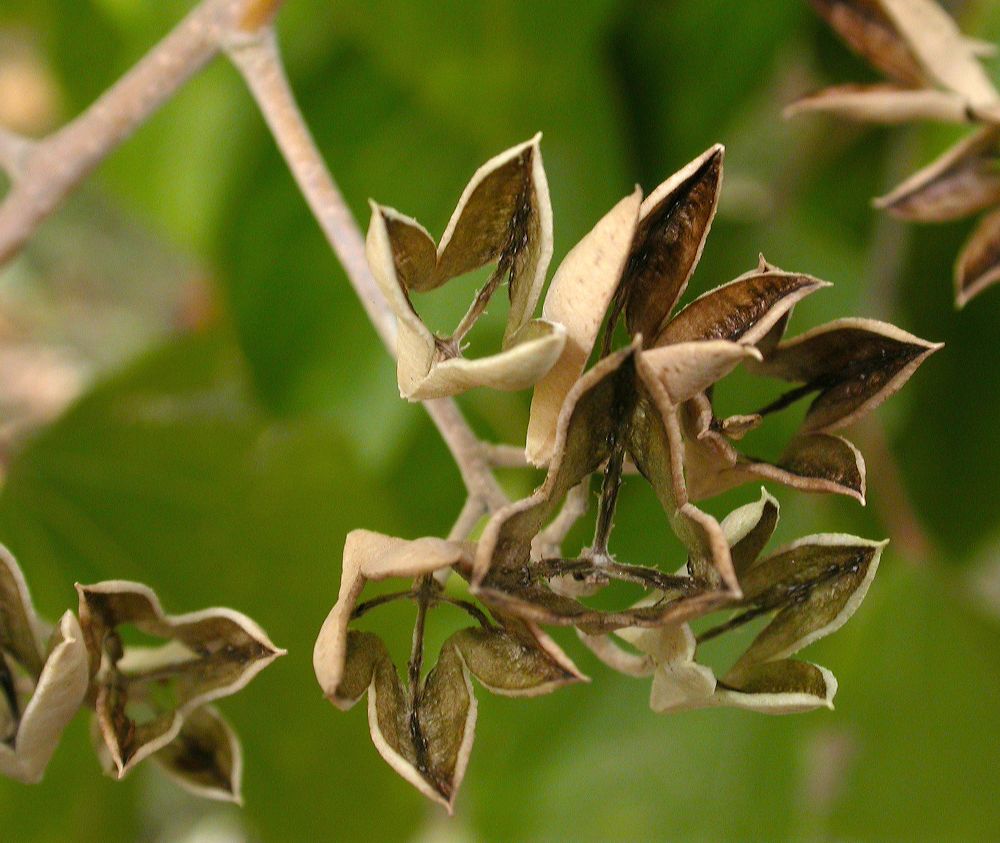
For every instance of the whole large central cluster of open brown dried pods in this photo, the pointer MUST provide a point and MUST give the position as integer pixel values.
(645, 409)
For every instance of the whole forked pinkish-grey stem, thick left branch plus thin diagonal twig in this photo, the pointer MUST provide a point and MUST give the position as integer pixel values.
(44, 172)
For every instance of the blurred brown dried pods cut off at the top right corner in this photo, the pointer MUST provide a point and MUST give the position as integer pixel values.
(935, 74)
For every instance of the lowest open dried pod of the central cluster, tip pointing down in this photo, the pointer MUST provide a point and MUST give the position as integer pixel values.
(424, 728)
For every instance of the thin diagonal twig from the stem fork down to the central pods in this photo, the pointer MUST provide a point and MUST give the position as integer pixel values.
(258, 59)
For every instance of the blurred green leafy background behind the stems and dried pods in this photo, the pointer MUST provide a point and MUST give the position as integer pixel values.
(191, 397)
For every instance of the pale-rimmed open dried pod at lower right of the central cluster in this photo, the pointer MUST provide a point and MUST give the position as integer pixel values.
(809, 588)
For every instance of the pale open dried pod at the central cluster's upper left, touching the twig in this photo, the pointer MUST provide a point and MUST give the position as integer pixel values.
(503, 218)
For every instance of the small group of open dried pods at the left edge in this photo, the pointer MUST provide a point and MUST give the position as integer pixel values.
(149, 702)
